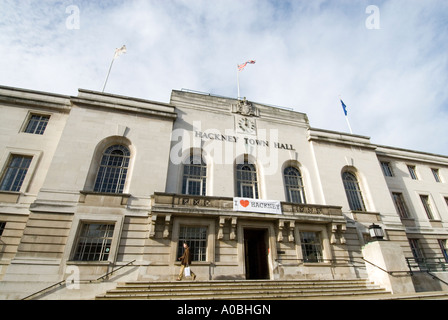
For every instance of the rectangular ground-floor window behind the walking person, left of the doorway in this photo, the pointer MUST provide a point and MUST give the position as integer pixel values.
(196, 238)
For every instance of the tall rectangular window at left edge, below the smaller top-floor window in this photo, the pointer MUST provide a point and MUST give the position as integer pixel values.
(15, 173)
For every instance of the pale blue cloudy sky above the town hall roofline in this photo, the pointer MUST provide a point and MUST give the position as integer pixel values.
(392, 79)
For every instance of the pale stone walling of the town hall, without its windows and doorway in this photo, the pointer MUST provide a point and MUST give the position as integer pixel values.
(44, 218)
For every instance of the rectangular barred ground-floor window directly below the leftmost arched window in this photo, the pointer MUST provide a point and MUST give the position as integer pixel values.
(94, 242)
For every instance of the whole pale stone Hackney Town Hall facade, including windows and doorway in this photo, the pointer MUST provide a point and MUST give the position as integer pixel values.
(96, 181)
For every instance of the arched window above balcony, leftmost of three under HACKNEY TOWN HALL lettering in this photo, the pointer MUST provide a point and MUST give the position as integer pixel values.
(194, 179)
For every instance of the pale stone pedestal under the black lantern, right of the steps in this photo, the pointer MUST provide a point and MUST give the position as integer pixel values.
(388, 256)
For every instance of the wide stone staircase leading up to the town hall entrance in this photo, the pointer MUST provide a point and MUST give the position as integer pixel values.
(246, 290)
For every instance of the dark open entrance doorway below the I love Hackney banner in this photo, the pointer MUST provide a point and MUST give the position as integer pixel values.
(256, 253)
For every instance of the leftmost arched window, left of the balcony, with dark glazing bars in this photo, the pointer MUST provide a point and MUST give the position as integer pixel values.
(113, 169)
